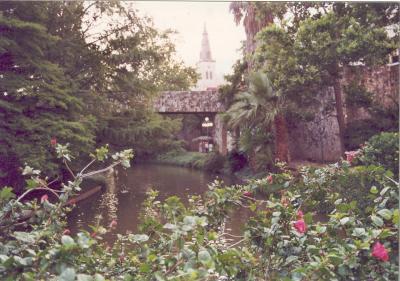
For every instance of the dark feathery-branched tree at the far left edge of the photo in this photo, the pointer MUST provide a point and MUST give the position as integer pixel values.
(38, 100)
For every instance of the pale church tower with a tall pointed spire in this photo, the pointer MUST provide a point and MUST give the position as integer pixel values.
(206, 65)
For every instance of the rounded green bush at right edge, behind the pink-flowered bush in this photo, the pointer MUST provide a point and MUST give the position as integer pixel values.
(382, 150)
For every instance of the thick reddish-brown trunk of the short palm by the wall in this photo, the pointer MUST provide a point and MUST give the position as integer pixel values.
(281, 139)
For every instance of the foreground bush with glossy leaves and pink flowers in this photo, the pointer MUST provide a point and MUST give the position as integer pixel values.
(288, 236)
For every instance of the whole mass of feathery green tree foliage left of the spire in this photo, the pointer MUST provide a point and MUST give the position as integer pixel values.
(62, 77)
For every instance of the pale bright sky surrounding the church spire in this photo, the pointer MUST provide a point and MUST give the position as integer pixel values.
(188, 19)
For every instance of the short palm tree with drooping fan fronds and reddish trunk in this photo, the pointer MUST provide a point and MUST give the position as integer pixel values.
(260, 105)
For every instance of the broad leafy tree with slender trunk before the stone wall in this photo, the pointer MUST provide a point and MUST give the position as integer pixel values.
(307, 54)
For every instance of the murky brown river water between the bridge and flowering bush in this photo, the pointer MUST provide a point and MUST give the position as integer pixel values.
(126, 192)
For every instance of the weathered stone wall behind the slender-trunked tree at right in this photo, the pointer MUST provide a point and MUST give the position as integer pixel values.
(319, 140)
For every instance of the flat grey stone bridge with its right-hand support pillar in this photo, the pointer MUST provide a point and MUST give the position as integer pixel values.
(205, 103)
